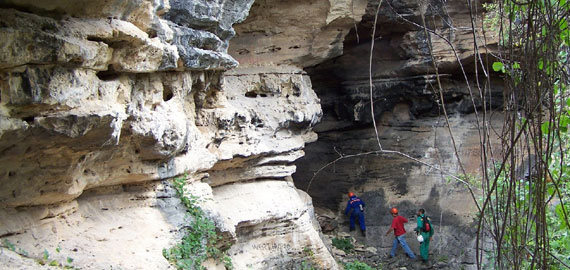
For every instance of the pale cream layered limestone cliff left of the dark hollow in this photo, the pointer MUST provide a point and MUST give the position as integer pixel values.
(102, 101)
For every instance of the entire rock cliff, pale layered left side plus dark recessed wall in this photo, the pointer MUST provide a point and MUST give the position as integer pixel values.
(103, 102)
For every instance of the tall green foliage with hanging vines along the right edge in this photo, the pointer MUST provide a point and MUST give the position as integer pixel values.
(531, 214)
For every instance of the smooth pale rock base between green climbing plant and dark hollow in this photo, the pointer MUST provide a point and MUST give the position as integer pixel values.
(261, 216)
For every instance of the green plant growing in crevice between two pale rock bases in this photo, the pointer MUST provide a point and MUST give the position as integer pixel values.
(200, 241)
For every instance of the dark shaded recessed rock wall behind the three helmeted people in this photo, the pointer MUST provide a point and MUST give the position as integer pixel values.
(408, 113)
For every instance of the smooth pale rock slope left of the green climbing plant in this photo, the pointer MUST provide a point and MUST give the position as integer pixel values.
(106, 228)
